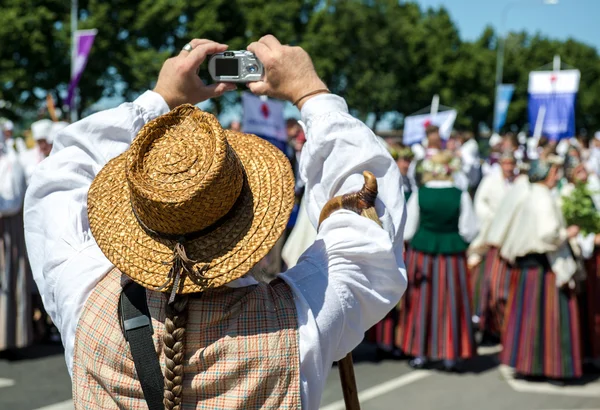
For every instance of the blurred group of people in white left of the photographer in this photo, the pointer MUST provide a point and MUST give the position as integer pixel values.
(23, 320)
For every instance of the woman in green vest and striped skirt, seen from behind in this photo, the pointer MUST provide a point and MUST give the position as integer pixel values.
(436, 324)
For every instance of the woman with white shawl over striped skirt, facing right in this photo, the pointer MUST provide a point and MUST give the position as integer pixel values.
(541, 324)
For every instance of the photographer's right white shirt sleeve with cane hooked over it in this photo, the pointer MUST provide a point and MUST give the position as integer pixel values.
(354, 272)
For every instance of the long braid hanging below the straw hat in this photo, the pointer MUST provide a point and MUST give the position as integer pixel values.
(173, 339)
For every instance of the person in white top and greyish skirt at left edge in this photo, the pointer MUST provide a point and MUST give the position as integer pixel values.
(15, 276)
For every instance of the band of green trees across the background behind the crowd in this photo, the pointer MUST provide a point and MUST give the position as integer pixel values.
(381, 55)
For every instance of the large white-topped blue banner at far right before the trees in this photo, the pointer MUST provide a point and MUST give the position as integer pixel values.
(556, 91)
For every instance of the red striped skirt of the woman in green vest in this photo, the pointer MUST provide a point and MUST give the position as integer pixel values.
(435, 322)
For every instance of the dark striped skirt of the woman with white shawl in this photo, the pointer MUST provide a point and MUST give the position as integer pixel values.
(541, 329)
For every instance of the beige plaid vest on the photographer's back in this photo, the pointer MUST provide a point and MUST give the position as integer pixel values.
(241, 350)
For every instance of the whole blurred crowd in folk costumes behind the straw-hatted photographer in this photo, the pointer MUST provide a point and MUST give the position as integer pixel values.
(499, 248)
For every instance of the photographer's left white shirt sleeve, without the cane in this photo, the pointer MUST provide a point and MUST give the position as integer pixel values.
(65, 259)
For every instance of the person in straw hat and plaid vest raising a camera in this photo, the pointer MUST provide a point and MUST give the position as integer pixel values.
(157, 193)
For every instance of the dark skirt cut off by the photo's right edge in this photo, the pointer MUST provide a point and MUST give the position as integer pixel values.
(590, 308)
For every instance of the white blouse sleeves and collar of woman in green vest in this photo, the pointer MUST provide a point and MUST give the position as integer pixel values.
(467, 221)
